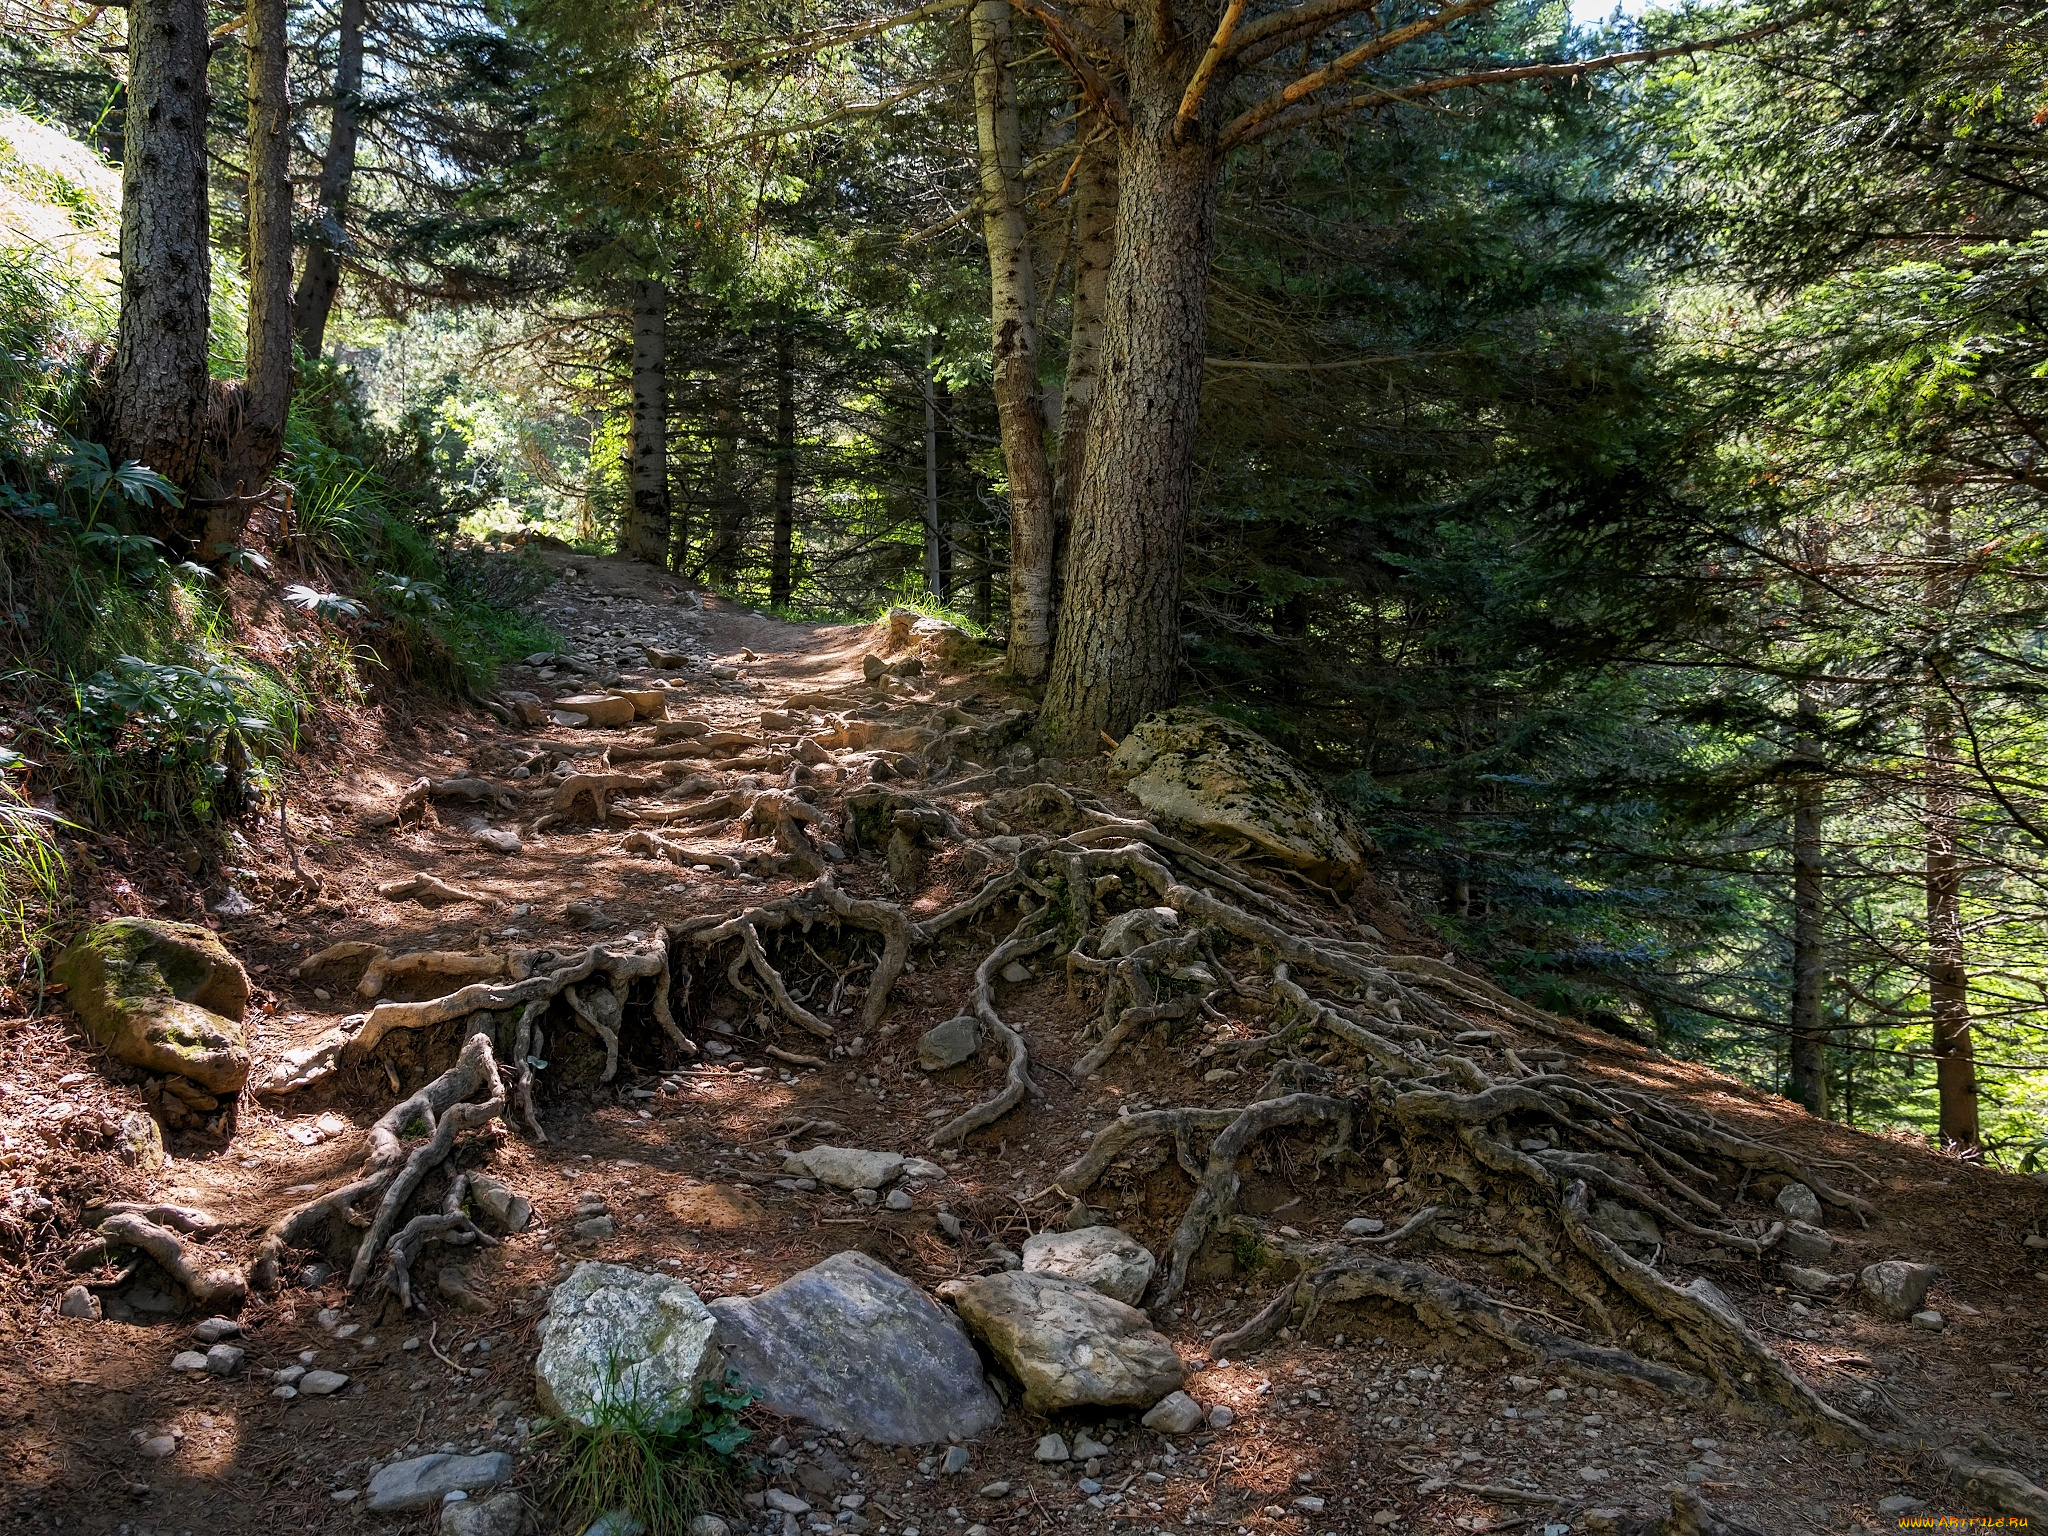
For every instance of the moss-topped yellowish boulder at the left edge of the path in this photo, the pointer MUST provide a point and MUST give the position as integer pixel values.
(165, 998)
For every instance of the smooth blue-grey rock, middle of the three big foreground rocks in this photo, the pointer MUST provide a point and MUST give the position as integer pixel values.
(857, 1349)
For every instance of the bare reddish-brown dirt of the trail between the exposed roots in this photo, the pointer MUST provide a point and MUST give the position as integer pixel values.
(1365, 1422)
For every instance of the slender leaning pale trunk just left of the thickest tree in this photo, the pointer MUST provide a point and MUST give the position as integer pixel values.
(1015, 341)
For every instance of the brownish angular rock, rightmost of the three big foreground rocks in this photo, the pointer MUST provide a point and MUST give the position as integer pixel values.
(1068, 1345)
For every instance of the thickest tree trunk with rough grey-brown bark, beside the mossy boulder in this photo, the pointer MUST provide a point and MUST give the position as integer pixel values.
(1119, 626)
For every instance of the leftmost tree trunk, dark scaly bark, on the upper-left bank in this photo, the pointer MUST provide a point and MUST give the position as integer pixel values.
(167, 286)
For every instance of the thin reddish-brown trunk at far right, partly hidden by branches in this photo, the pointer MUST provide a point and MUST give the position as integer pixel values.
(1949, 982)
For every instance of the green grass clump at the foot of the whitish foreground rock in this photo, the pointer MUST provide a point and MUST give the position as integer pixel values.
(660, 1469)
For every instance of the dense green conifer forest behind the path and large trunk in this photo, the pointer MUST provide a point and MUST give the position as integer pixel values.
(1623, 482)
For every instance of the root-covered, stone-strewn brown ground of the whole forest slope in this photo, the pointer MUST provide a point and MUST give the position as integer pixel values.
(1371, 1410)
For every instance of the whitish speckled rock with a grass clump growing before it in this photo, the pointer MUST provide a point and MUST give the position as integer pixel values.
(617, 1338)
